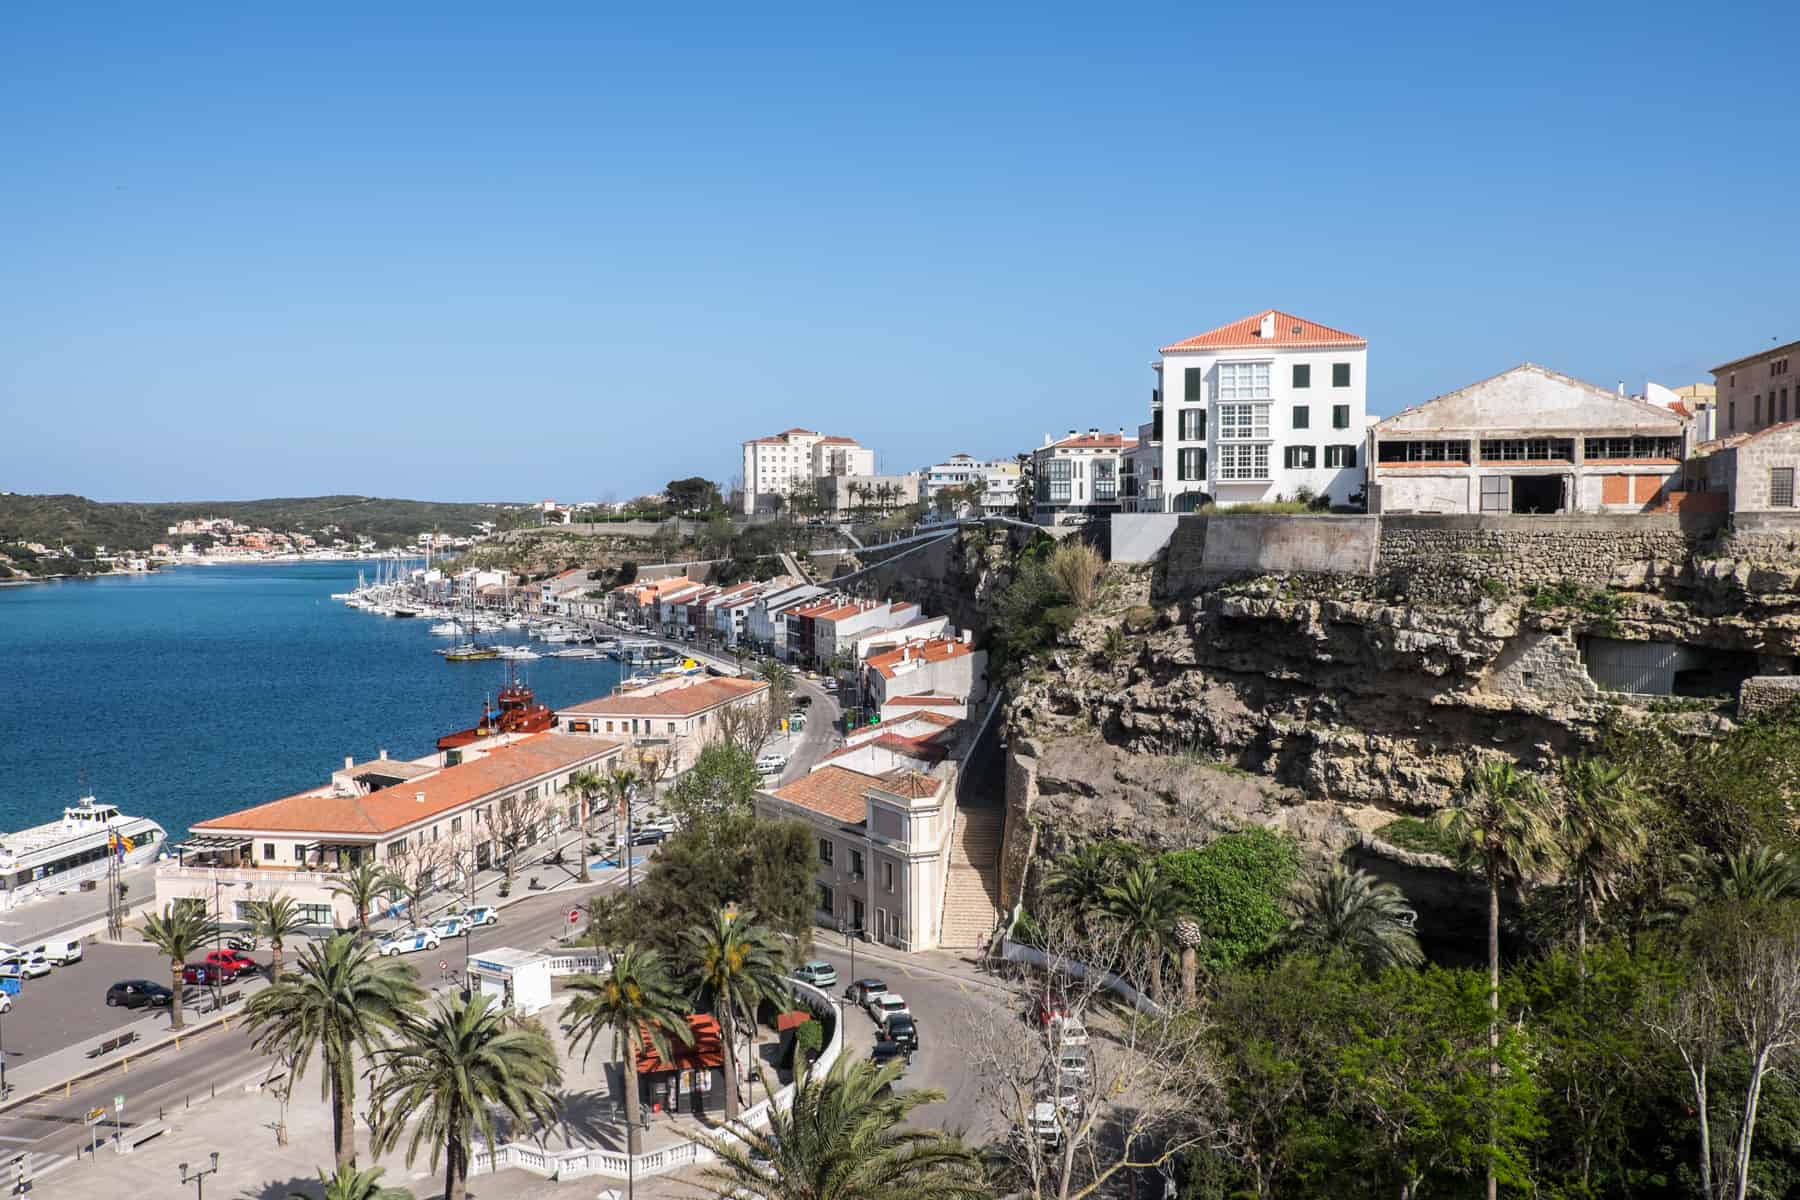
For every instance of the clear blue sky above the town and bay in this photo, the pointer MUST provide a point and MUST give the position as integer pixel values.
(573, 251)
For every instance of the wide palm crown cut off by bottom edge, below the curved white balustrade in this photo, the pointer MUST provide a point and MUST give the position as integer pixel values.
(847, 1138)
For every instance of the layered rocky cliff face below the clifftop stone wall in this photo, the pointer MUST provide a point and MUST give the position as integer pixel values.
(1349, 703)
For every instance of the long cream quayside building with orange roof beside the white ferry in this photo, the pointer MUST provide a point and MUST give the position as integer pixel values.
(384, 810)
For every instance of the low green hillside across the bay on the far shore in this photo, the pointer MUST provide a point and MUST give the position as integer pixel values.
(76, 521)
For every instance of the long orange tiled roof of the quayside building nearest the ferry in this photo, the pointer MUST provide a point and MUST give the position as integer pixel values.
(399, 807)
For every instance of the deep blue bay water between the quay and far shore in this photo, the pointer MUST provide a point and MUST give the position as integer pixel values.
(195, 692)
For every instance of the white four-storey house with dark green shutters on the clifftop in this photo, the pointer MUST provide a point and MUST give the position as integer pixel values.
(1268, 407)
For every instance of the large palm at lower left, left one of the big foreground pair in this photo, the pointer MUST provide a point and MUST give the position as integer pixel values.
(341, 999)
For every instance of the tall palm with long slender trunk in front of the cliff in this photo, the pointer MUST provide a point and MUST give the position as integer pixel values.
(1502, 828)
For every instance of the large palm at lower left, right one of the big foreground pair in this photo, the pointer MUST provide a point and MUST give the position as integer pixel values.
(451, 1071)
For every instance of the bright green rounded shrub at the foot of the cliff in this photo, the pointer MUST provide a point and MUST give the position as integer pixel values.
(1236, 888)
